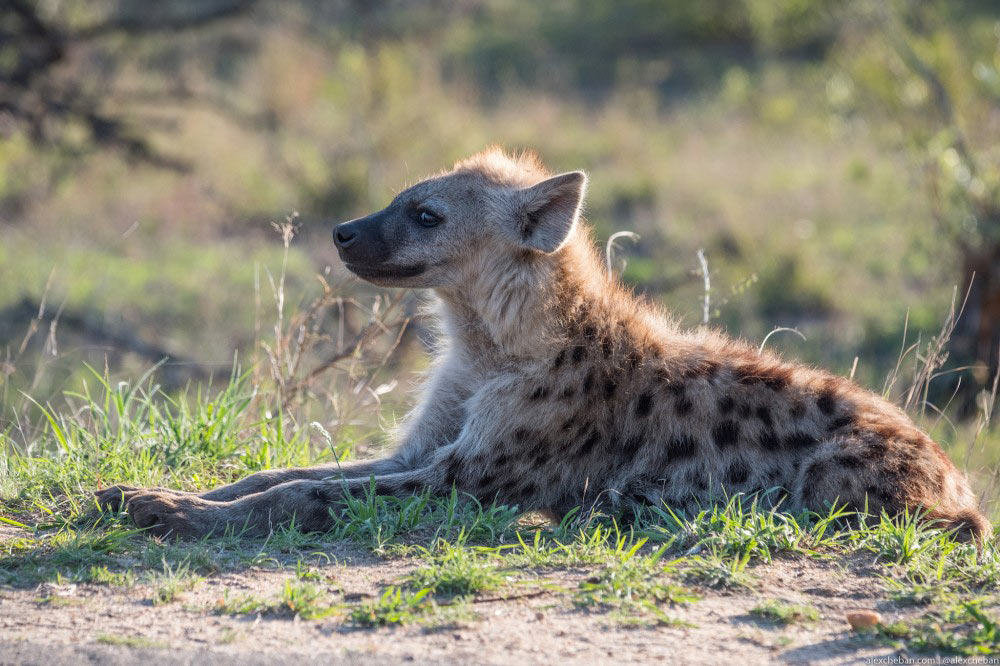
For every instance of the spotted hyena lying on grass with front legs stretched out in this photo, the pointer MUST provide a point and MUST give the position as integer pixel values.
(556, 387)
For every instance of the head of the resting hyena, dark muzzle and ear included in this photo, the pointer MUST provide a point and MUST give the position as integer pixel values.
(433, 233)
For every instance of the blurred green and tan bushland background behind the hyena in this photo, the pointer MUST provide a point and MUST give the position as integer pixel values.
(837, 161)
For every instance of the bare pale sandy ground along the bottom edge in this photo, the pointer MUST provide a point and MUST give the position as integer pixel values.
(86, 623)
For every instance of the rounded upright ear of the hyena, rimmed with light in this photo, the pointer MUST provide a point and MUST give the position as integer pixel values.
(547, 212)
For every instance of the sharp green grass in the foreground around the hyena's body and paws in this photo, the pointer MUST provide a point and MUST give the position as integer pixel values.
(456, 551)
